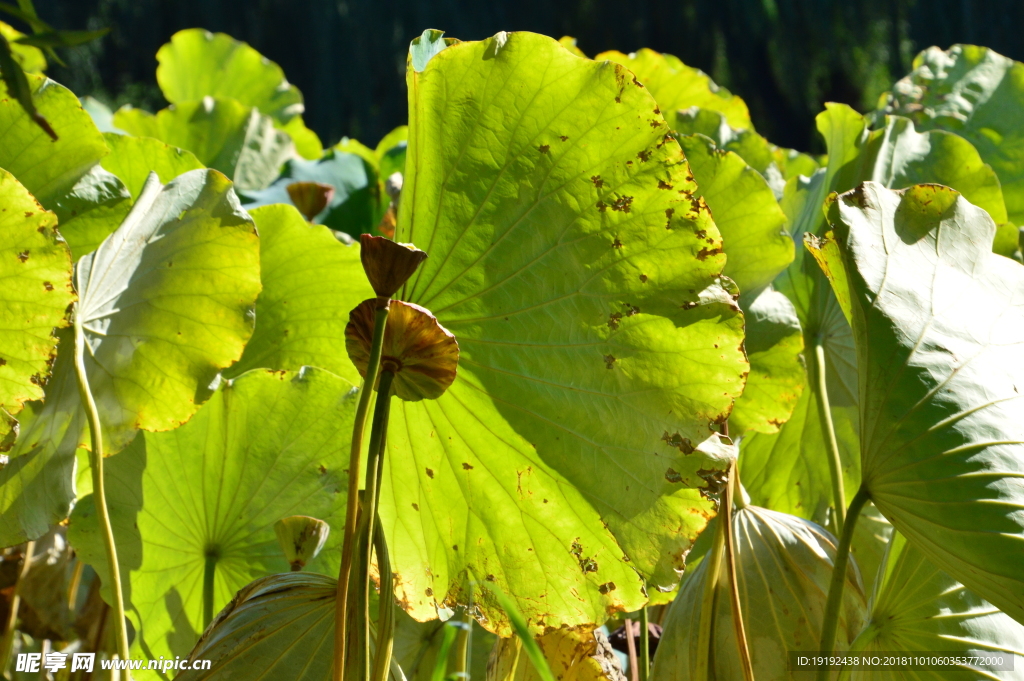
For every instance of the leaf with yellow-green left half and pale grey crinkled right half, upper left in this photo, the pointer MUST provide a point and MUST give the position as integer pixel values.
(223, 134)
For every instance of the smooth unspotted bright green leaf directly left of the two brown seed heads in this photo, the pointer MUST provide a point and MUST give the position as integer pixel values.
(303, 268)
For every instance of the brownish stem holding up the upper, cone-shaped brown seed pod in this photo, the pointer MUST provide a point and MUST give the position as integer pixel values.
(353, 509)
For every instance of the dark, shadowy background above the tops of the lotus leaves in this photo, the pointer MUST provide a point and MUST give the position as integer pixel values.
(785, 58)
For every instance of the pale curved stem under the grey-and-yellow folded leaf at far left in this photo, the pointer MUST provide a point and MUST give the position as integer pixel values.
(100, 491)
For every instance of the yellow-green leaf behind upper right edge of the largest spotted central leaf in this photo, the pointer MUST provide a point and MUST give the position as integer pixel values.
(746, 212)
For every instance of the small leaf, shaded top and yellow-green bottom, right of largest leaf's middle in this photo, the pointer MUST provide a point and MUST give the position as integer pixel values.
(775, 344)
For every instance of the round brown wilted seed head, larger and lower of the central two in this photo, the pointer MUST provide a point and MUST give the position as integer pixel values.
(423, 355)
